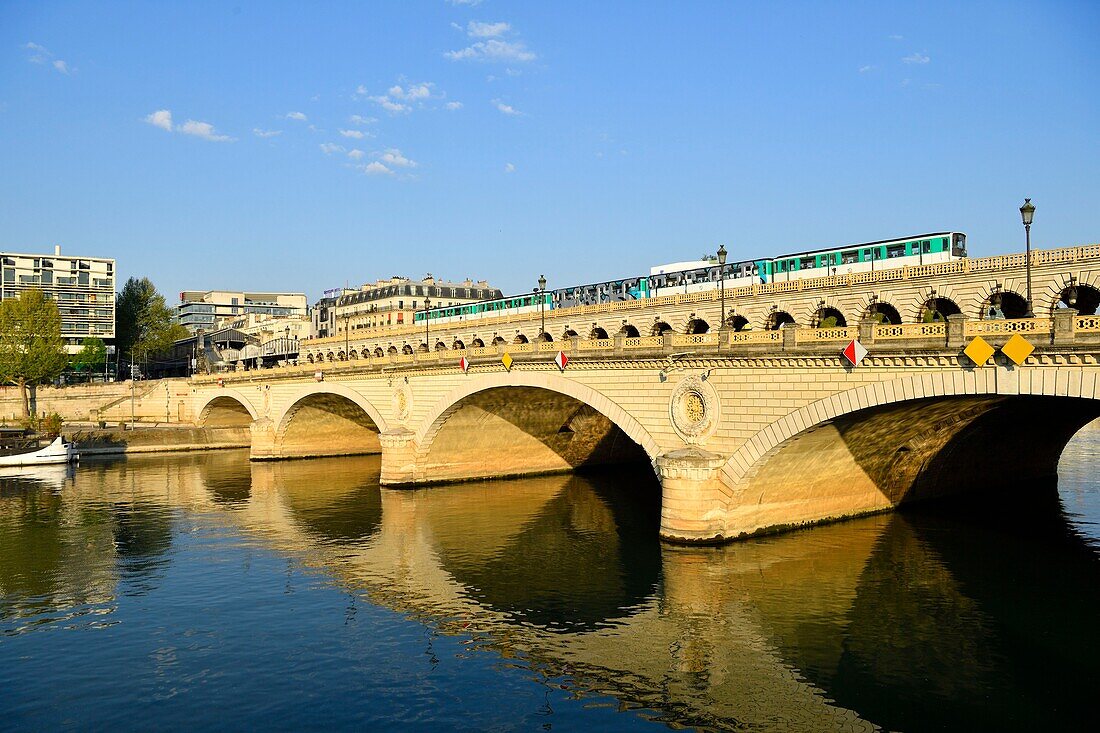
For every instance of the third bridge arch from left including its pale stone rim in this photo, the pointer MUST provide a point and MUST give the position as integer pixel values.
(526, 423)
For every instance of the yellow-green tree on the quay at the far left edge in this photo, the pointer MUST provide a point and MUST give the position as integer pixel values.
(32, 351)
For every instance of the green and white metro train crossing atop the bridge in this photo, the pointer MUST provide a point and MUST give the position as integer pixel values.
(705, 275)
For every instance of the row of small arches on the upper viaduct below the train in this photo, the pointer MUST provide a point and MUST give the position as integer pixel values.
(933, 308)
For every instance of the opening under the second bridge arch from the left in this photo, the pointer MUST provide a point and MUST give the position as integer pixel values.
(326, 424)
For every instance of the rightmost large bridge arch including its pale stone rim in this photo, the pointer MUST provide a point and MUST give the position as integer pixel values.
(866, 452)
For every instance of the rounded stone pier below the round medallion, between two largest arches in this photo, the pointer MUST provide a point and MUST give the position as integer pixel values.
(692, 496)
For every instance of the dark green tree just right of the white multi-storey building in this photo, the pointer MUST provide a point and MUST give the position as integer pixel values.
(144, 321)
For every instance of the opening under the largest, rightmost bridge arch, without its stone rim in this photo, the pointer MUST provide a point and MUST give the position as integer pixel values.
(882, 457)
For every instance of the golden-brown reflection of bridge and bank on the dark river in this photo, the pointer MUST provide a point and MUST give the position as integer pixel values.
(909, 621)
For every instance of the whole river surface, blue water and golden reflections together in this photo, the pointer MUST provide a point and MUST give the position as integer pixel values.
(201, 590)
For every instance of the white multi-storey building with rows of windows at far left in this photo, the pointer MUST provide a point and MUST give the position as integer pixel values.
(82, 287)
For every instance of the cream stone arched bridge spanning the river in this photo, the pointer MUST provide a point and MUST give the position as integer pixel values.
(747, 431)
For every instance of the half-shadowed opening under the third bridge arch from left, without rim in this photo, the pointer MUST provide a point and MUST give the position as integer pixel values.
(516, 431)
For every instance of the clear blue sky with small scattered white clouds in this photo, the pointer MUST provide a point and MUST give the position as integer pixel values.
(268, 146)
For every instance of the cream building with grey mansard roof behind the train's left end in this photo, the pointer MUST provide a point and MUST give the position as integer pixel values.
(393, 302)
